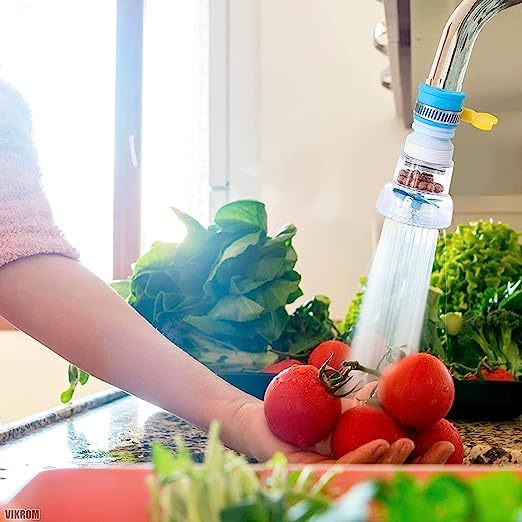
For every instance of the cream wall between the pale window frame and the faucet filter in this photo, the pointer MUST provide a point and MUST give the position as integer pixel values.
(329, 135)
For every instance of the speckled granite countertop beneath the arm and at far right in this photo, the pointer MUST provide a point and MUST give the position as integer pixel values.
(113, 428)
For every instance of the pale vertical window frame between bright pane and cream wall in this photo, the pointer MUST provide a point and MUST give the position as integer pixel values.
(234, 101)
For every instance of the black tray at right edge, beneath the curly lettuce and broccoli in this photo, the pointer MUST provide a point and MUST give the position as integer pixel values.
(487, 400)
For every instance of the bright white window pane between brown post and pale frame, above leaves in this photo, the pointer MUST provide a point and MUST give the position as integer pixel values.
(175, 137)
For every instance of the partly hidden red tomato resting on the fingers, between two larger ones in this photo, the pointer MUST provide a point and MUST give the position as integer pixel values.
(360, 425)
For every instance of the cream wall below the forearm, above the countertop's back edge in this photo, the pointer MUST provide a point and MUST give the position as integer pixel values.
(32, 377)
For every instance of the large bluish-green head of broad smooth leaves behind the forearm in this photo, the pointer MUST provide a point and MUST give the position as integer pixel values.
(223, 290)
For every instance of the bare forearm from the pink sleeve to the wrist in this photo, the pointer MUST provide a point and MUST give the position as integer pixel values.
(65, 307)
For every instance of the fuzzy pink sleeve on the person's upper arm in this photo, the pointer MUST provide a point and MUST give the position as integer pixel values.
(26, 223)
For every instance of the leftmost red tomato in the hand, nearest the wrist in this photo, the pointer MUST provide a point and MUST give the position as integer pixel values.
(298, 407)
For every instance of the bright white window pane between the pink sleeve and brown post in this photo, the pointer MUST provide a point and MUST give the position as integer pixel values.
(60, 54)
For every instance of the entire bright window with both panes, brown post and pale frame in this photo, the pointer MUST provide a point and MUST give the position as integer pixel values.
(132, 113)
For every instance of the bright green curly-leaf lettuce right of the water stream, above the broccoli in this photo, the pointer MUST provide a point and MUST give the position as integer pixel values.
(474, 258)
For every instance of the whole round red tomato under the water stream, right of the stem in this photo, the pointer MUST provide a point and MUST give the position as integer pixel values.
(417, 391)
